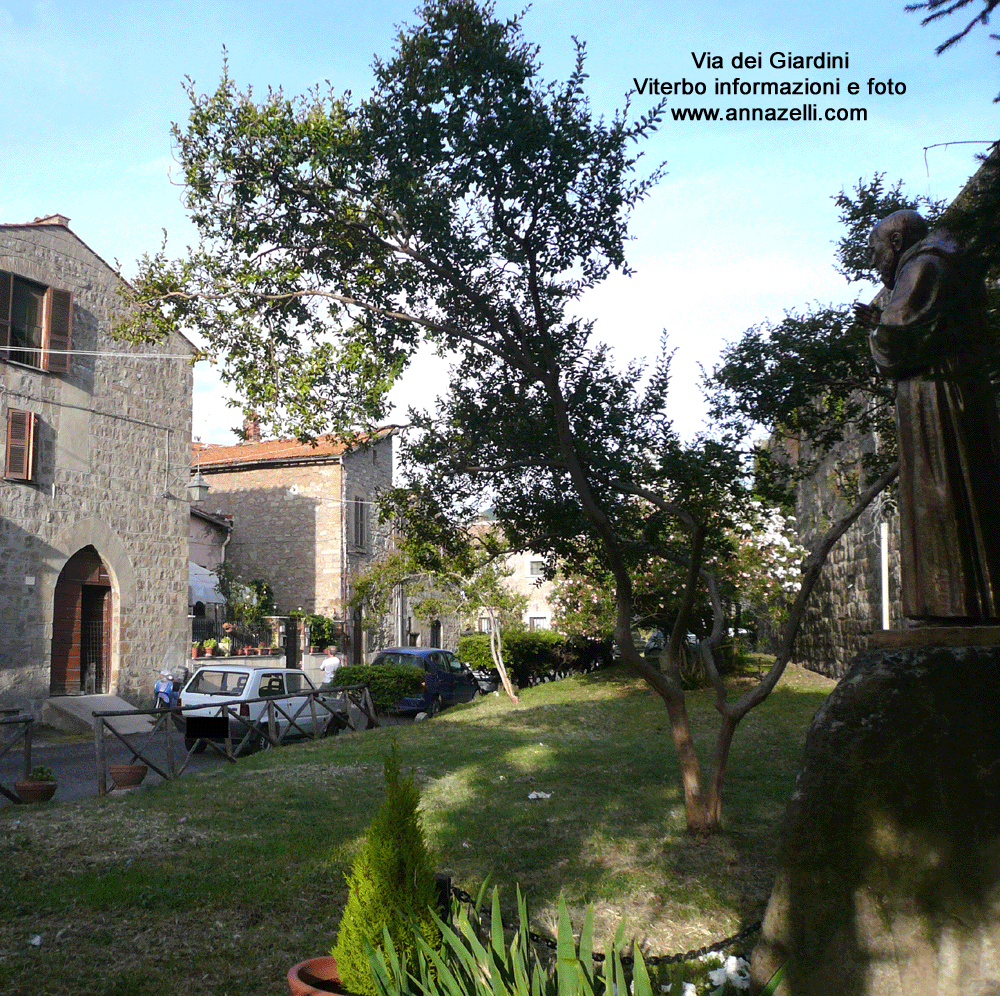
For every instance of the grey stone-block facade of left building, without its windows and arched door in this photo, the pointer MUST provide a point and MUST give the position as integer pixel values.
(113, 436)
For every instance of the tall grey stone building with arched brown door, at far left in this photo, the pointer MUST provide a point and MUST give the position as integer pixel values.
(93, 522)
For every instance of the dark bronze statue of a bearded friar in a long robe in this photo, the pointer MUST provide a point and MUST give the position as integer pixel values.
(932, 341)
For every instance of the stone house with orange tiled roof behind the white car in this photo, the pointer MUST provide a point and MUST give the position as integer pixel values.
(303, 520)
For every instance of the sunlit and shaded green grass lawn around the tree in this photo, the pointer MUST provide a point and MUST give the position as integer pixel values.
(215, 884)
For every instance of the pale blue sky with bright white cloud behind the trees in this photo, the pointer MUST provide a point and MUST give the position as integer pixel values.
(740, 228)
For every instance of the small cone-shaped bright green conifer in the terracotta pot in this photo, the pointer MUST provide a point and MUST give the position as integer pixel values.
(392, 890)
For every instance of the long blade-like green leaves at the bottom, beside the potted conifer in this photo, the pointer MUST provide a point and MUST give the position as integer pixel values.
(474, 961)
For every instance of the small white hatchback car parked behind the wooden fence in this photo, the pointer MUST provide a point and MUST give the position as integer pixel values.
(227, 693)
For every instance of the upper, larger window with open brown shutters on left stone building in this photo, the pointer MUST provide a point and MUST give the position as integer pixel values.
(36, 323)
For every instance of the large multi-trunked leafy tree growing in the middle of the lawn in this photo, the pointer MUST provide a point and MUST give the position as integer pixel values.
(467, 204)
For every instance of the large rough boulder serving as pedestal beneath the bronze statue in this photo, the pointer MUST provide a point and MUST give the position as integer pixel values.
(890, 866)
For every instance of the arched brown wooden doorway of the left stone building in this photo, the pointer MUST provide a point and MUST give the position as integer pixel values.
(81, 627)
